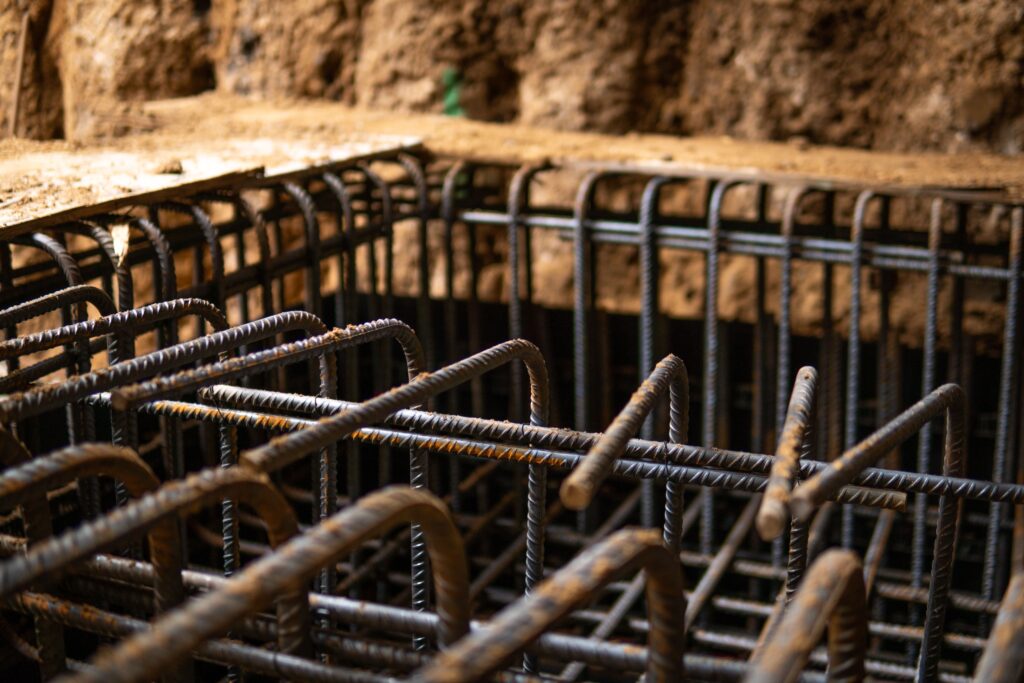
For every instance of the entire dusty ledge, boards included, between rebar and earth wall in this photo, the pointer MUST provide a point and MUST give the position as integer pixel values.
(216, 140)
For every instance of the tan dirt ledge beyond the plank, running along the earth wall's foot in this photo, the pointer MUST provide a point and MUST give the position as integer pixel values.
(221, 115)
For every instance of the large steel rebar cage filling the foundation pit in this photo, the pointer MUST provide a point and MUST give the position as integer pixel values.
(347, 425)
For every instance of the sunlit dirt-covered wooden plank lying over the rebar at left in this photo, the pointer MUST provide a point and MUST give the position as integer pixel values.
(44, 185)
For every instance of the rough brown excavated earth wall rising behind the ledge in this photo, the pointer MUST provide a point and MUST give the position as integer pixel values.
(913, 75)
